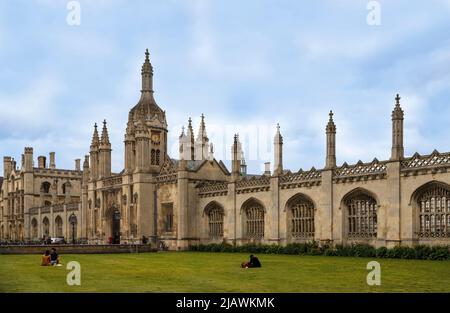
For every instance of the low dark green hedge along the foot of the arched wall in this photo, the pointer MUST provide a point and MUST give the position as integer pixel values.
(420, 252)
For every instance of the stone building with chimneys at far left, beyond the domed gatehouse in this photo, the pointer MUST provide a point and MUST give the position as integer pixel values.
(36, 202)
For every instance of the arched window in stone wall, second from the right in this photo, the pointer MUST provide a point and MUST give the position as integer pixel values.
(361, 216)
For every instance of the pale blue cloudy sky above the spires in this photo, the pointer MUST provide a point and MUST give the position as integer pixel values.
(246, 65)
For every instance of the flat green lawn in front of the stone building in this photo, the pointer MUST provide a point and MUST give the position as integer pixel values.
(220, 272)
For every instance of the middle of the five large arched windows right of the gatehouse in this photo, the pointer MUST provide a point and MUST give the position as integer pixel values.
(301, 212)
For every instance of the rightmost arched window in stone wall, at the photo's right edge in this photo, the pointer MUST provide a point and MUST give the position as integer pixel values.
(434, 212)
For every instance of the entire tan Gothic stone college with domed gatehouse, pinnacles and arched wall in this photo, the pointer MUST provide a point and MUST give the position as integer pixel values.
(196, 199)
